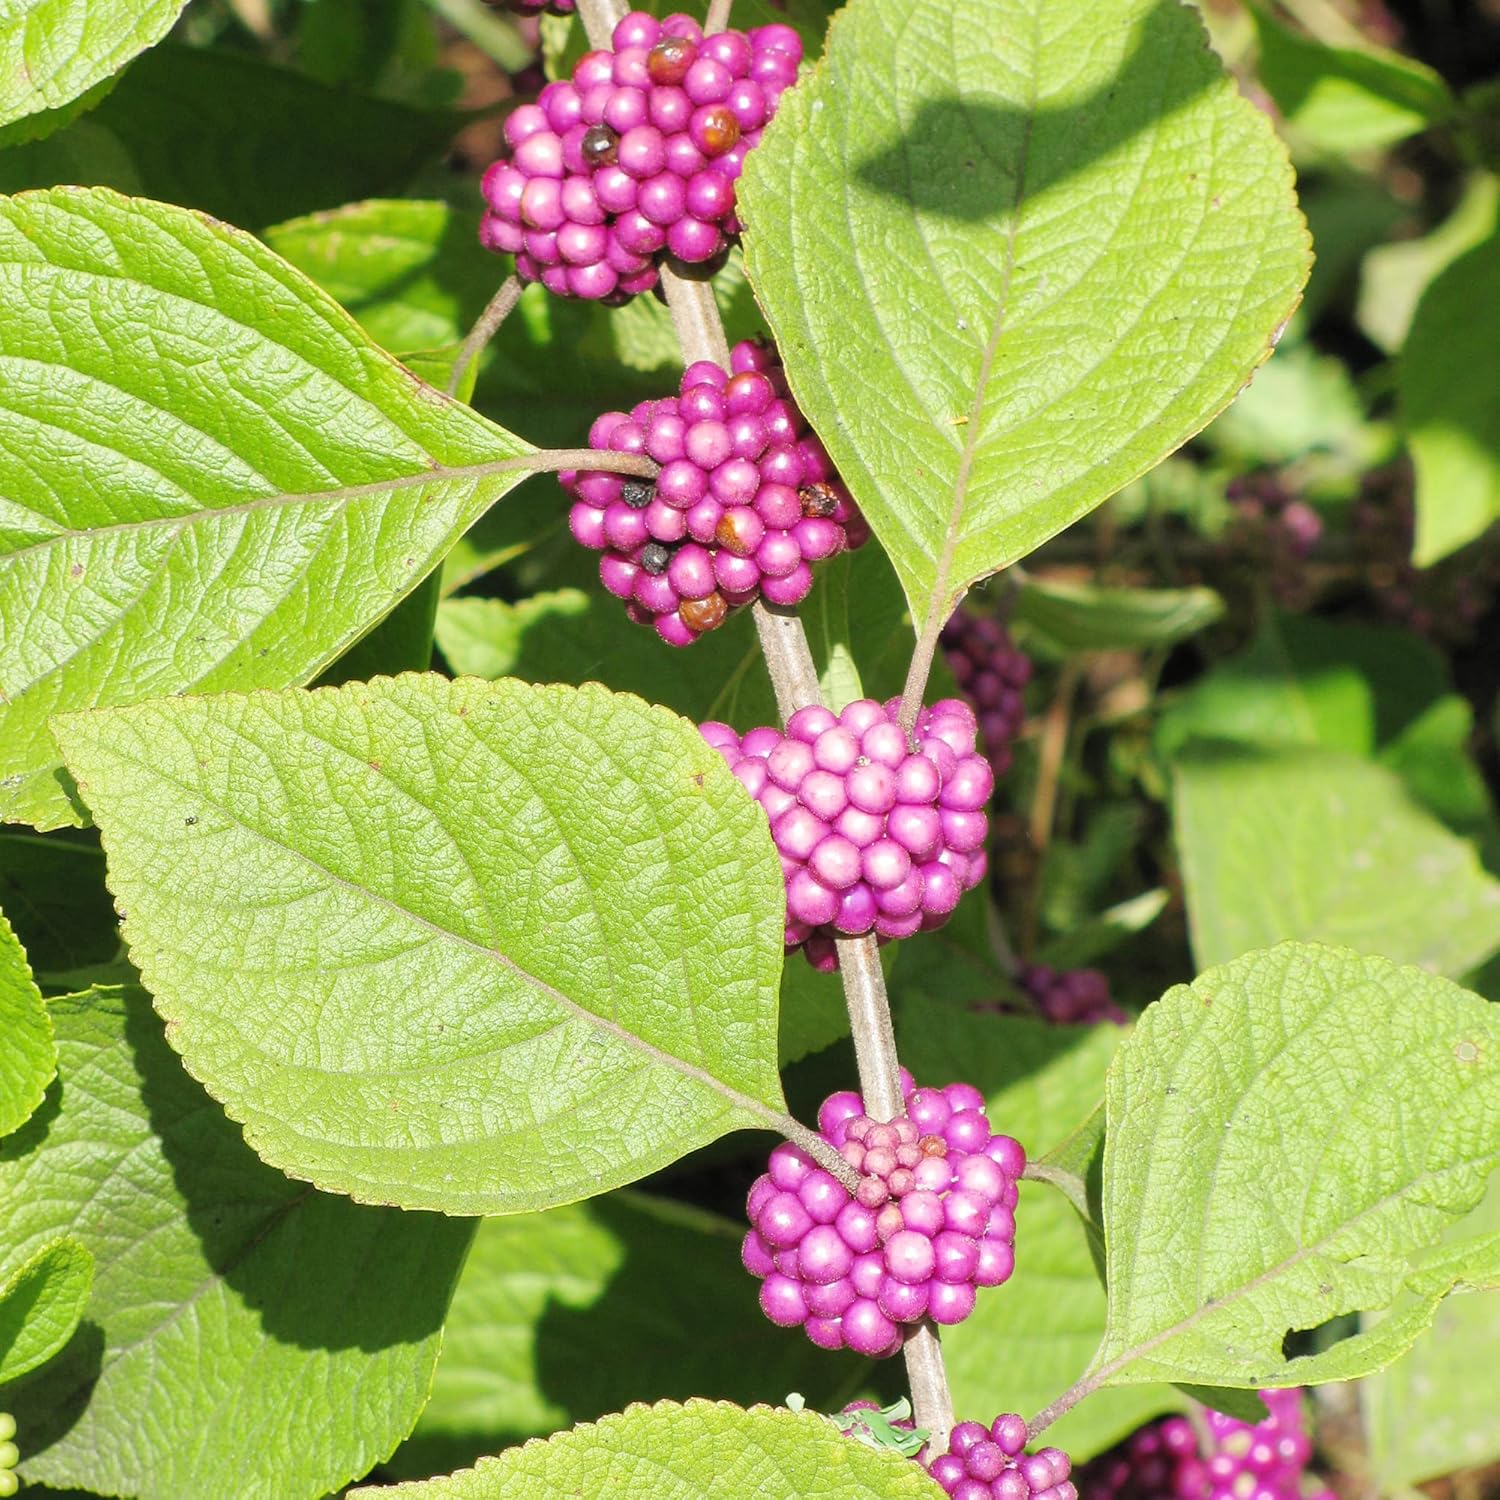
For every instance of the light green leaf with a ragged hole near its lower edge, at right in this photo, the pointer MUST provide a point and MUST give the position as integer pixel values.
(1295, 1129)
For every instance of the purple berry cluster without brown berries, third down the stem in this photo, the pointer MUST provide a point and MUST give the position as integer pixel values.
(874, 835)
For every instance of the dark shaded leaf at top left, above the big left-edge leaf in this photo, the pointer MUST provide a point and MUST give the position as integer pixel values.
(244, 140)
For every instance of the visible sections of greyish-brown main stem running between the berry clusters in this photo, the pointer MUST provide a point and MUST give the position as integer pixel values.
(784, 643)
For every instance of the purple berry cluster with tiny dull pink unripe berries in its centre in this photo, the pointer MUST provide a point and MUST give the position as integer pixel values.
(932, 1220)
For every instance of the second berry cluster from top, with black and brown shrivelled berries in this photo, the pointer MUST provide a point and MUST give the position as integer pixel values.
(745, 503)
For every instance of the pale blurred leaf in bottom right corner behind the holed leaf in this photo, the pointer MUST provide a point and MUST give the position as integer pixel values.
(1433, 1411)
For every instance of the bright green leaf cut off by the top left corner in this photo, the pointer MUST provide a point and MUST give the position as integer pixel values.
(53, 50)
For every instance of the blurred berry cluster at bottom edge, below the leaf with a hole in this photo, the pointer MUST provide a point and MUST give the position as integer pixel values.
(1163, 1462)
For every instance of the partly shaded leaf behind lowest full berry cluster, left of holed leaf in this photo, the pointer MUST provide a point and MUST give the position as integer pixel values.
(1031, 1339)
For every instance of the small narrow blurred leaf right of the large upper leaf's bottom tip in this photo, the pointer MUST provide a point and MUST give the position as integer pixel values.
(1088, 617)
